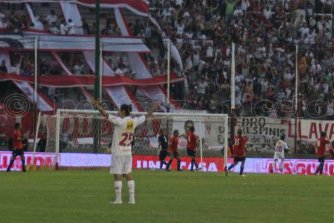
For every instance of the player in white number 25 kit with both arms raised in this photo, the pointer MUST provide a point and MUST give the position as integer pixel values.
(121, 163)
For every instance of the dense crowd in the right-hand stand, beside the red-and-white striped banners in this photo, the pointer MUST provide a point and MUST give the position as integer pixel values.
(266, 34)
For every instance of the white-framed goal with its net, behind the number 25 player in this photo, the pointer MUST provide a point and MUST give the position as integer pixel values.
(77, 133)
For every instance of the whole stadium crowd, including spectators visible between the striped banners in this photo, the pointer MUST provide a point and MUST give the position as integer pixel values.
(265, 32)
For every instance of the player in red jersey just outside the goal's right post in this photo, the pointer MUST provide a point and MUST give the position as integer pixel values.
(239, 152)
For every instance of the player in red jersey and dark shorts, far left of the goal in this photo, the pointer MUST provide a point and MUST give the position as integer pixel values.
(17, 147)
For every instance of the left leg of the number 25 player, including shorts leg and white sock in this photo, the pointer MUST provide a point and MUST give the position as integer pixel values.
(116, 170)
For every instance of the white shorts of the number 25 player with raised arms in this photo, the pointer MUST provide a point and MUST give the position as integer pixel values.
(121, 164)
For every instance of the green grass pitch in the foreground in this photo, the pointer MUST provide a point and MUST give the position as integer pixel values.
(83, 196)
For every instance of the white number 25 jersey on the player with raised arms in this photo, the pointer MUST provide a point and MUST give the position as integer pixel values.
(123, 133)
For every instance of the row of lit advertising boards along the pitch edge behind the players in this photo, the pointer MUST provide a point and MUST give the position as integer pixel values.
(212, 164)
